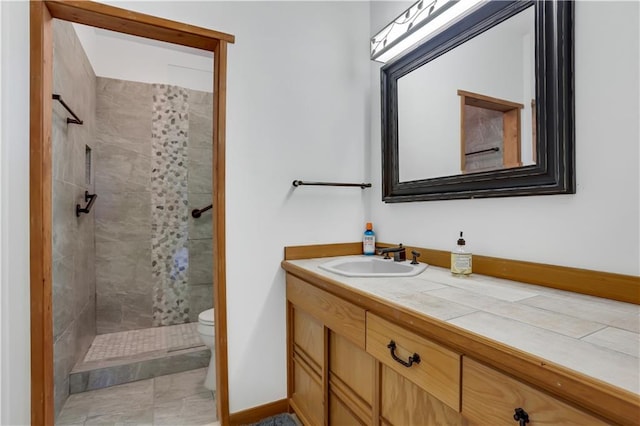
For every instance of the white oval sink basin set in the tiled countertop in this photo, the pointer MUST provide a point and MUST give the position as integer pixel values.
(368, 266)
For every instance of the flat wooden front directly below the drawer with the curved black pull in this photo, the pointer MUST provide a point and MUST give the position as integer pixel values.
(405, 404)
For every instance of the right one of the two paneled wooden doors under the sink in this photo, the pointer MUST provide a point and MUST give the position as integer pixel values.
(351, 381)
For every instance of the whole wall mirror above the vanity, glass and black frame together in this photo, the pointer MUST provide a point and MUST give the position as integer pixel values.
(483, 109)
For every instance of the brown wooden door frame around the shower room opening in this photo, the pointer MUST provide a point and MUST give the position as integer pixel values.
(41, 85)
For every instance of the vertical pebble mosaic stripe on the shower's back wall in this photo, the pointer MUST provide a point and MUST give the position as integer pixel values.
(169, 209)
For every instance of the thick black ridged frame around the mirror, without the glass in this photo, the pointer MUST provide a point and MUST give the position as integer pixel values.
(554, 171)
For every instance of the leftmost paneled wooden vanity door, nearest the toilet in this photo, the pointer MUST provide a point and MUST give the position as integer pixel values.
(307, 366)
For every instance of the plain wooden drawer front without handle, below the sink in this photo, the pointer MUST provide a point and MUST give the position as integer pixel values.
(337, 314)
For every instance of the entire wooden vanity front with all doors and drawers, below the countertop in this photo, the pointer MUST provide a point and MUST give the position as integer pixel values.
(342, 372)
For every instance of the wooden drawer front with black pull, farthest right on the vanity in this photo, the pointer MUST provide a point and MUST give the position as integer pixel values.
(491, 397)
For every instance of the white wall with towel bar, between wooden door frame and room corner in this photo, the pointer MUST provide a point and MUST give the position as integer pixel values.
(296, 109)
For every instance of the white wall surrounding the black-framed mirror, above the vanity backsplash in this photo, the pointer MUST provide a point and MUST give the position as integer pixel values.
(598, 227)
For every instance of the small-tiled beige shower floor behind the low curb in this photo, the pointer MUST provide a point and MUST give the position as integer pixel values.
(137, 342)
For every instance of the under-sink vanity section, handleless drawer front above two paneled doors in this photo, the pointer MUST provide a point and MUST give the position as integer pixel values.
(331, 376)
